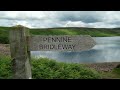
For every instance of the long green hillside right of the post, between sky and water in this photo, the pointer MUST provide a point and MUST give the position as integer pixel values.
(94, 32)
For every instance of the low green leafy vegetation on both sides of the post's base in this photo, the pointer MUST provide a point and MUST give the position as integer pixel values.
(44, 68)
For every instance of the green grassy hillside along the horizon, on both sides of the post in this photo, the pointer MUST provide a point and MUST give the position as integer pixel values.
(94, 32)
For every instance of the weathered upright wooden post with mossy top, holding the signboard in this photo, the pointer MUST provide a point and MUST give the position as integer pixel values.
(19, 53)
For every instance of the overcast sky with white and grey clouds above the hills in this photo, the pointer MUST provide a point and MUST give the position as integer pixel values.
(48, 19)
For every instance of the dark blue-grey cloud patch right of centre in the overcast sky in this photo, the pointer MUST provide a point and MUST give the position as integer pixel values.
(84, 16)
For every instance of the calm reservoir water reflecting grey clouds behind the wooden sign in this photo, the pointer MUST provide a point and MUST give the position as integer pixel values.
(107, 49)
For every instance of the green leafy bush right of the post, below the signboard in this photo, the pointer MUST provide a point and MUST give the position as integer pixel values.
(50, 69)
